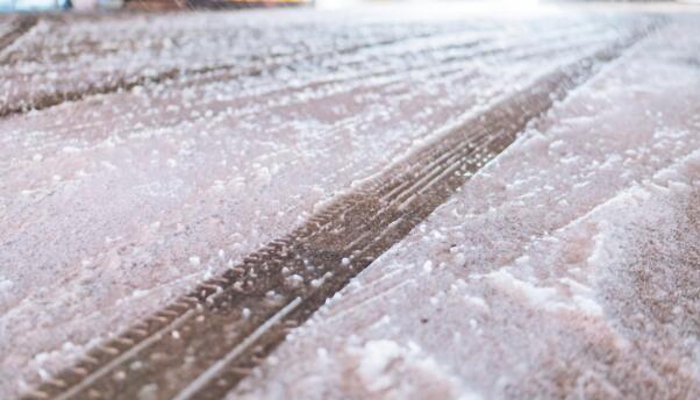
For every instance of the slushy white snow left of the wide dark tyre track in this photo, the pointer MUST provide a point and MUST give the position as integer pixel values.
(128, 172)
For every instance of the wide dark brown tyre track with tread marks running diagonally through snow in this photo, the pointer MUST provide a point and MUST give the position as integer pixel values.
(204, 343)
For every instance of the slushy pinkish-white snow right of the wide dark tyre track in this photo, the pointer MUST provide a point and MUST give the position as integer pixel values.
(568, 267)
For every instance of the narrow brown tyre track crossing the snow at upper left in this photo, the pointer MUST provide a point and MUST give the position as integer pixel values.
(256, 65)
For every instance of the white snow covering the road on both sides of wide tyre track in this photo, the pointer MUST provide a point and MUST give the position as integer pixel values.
(166, 148)
